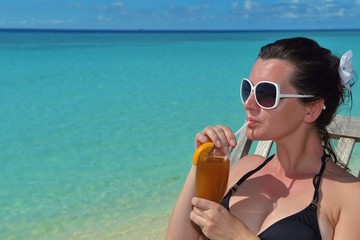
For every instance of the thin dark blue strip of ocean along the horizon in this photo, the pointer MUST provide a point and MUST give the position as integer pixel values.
(69, 30)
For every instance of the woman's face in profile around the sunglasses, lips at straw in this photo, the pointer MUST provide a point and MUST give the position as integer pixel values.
(276, 123)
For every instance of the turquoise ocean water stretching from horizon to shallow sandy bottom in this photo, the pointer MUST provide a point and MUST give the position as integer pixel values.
(97, 128)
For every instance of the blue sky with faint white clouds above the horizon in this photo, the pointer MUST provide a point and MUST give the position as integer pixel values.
(180, 14)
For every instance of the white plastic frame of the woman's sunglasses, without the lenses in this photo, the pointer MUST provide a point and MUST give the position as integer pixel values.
(278, 94)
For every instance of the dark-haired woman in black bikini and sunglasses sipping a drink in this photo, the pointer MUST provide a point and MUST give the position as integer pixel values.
(302, 192)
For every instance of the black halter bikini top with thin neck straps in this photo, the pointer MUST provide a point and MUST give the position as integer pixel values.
(299, 226)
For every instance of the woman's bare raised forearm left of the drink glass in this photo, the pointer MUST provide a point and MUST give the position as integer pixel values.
(180, 226)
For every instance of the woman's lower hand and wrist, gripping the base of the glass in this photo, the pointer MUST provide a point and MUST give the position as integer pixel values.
(216, 222)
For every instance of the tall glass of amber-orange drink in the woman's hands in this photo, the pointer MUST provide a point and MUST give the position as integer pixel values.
(212, 173)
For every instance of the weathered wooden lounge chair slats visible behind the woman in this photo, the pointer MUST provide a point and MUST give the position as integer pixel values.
(344, 130)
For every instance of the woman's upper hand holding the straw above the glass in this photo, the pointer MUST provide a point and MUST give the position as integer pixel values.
(222, 136)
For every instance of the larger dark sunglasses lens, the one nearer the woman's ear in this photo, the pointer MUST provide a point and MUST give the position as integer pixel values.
(266, 94)
